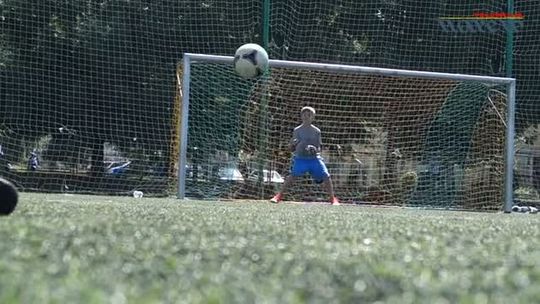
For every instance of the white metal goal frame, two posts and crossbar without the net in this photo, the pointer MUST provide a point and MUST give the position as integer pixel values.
(189, 60)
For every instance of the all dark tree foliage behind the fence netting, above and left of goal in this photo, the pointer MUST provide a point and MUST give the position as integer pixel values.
(106, 69)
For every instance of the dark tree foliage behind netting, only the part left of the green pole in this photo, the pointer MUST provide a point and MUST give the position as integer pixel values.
(106, 69)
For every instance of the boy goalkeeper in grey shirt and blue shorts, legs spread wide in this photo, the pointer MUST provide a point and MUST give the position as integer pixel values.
(306, 145)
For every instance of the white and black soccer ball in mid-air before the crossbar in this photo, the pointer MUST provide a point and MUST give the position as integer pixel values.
(250, 60)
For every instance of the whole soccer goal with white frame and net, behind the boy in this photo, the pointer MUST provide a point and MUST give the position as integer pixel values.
(389, 136)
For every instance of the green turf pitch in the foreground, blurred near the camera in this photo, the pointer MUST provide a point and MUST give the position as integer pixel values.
(92, 249)
